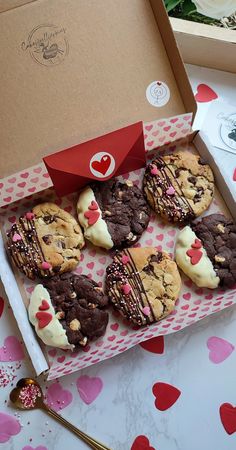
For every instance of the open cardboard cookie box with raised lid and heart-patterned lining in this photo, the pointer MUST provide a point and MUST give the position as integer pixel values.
(101, 71)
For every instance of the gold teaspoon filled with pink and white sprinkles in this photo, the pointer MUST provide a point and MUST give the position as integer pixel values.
(28, 395)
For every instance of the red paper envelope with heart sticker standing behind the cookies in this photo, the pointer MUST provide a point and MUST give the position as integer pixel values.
(98, 159)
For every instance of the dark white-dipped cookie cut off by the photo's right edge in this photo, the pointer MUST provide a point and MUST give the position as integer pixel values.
(206, 252)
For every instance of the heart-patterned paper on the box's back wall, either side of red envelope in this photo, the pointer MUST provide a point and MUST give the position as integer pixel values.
(36, 178)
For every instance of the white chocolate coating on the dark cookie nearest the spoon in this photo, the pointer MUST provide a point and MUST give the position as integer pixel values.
(53, 334)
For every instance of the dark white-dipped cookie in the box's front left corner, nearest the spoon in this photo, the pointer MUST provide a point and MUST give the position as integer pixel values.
(67, 311)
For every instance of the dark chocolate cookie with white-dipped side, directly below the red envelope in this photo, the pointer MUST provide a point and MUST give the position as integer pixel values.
(113, 214)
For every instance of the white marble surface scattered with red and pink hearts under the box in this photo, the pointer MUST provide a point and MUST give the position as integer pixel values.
(114, 401)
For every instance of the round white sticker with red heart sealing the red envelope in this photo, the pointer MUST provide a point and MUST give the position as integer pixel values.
(102, 164)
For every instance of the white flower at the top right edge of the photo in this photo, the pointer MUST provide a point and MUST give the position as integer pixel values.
(216, 8)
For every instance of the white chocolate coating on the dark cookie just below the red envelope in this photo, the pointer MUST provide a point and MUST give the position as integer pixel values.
(97, 233)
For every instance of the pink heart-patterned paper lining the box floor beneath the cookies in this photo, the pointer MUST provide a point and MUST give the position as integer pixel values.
(193, 304)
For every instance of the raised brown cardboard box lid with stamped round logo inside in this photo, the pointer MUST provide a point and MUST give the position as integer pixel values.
(73, 70)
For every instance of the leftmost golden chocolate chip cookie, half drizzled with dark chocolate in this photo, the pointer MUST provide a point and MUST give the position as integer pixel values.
(45, 241)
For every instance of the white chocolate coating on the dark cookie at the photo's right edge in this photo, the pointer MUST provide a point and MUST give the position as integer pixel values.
(202, 273)
